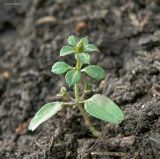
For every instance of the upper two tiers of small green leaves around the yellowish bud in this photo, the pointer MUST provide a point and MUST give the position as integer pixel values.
(81, 49)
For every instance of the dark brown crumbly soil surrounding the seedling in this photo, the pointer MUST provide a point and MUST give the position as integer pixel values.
(128, 34)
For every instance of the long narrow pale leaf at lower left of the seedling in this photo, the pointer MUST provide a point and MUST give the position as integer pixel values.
(46, 112)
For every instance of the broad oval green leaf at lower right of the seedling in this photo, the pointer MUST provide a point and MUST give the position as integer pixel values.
(104, 108)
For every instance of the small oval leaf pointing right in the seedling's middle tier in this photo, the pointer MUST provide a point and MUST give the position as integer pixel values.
(95, 71)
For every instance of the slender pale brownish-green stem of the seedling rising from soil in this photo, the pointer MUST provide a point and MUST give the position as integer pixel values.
(80, 106)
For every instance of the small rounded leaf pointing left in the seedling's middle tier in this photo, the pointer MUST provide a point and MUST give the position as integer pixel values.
(60, 67)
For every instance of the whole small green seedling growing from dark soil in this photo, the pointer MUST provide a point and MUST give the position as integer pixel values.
(98, 106)
